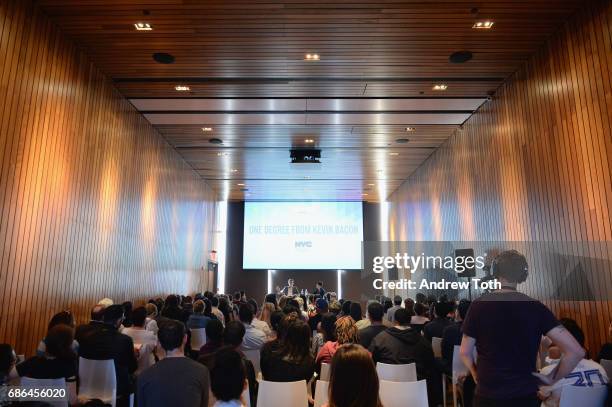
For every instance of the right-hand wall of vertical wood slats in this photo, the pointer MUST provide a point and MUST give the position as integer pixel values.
(534, 164)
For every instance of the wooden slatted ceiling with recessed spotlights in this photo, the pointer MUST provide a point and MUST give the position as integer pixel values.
(371, 52)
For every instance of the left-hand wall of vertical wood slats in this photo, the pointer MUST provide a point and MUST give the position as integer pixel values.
(93, 202)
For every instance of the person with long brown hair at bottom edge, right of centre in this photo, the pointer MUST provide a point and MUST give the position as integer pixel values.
(353, 379)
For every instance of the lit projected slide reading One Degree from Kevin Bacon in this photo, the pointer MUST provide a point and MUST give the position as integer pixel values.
(302, 235)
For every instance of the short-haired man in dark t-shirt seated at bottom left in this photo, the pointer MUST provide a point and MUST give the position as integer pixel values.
(175, 380)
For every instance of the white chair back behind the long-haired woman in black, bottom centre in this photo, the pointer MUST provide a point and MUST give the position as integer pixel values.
(282, 394)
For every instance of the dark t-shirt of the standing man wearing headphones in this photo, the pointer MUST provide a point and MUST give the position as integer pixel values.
(508, 327)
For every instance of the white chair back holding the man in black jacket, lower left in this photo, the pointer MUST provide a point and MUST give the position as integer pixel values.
(97, 380)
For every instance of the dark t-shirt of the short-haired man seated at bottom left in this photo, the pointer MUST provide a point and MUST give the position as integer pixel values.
(174, 382)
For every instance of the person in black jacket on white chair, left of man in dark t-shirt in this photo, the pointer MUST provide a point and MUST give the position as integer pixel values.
(101, 341)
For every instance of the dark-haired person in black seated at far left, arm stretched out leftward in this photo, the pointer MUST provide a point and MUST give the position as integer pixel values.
(59, 361)
